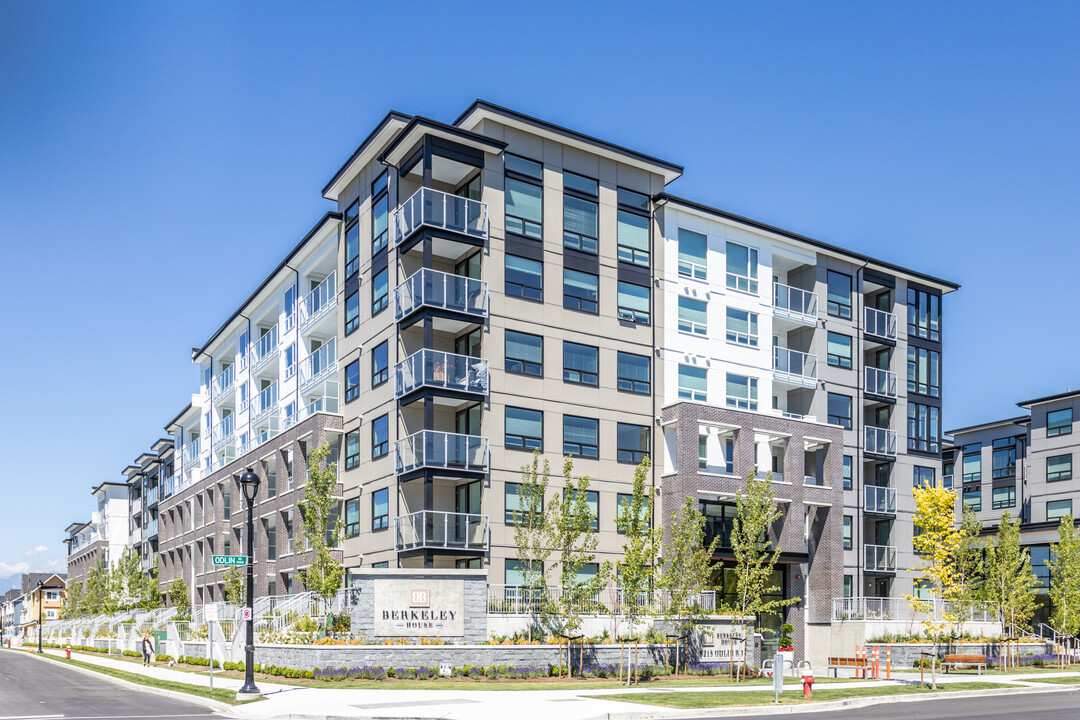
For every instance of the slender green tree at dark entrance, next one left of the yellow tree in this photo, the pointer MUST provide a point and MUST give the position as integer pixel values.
(755, 513)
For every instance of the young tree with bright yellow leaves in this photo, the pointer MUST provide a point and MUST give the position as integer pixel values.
(1009, 587)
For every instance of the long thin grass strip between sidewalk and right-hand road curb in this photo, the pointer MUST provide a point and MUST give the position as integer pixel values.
(700, 700)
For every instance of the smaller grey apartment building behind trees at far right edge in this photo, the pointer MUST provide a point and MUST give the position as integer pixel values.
(1024, 466)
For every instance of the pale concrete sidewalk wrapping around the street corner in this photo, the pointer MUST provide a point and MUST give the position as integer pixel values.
(293, 702)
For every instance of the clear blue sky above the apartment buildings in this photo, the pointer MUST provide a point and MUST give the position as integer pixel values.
(157, 160)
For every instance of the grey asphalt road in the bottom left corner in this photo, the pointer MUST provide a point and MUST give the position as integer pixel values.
(35, 688)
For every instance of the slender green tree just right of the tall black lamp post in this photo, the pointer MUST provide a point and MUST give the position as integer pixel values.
(322, 526)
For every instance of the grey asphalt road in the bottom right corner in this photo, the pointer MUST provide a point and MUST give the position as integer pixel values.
(1030, 707)
